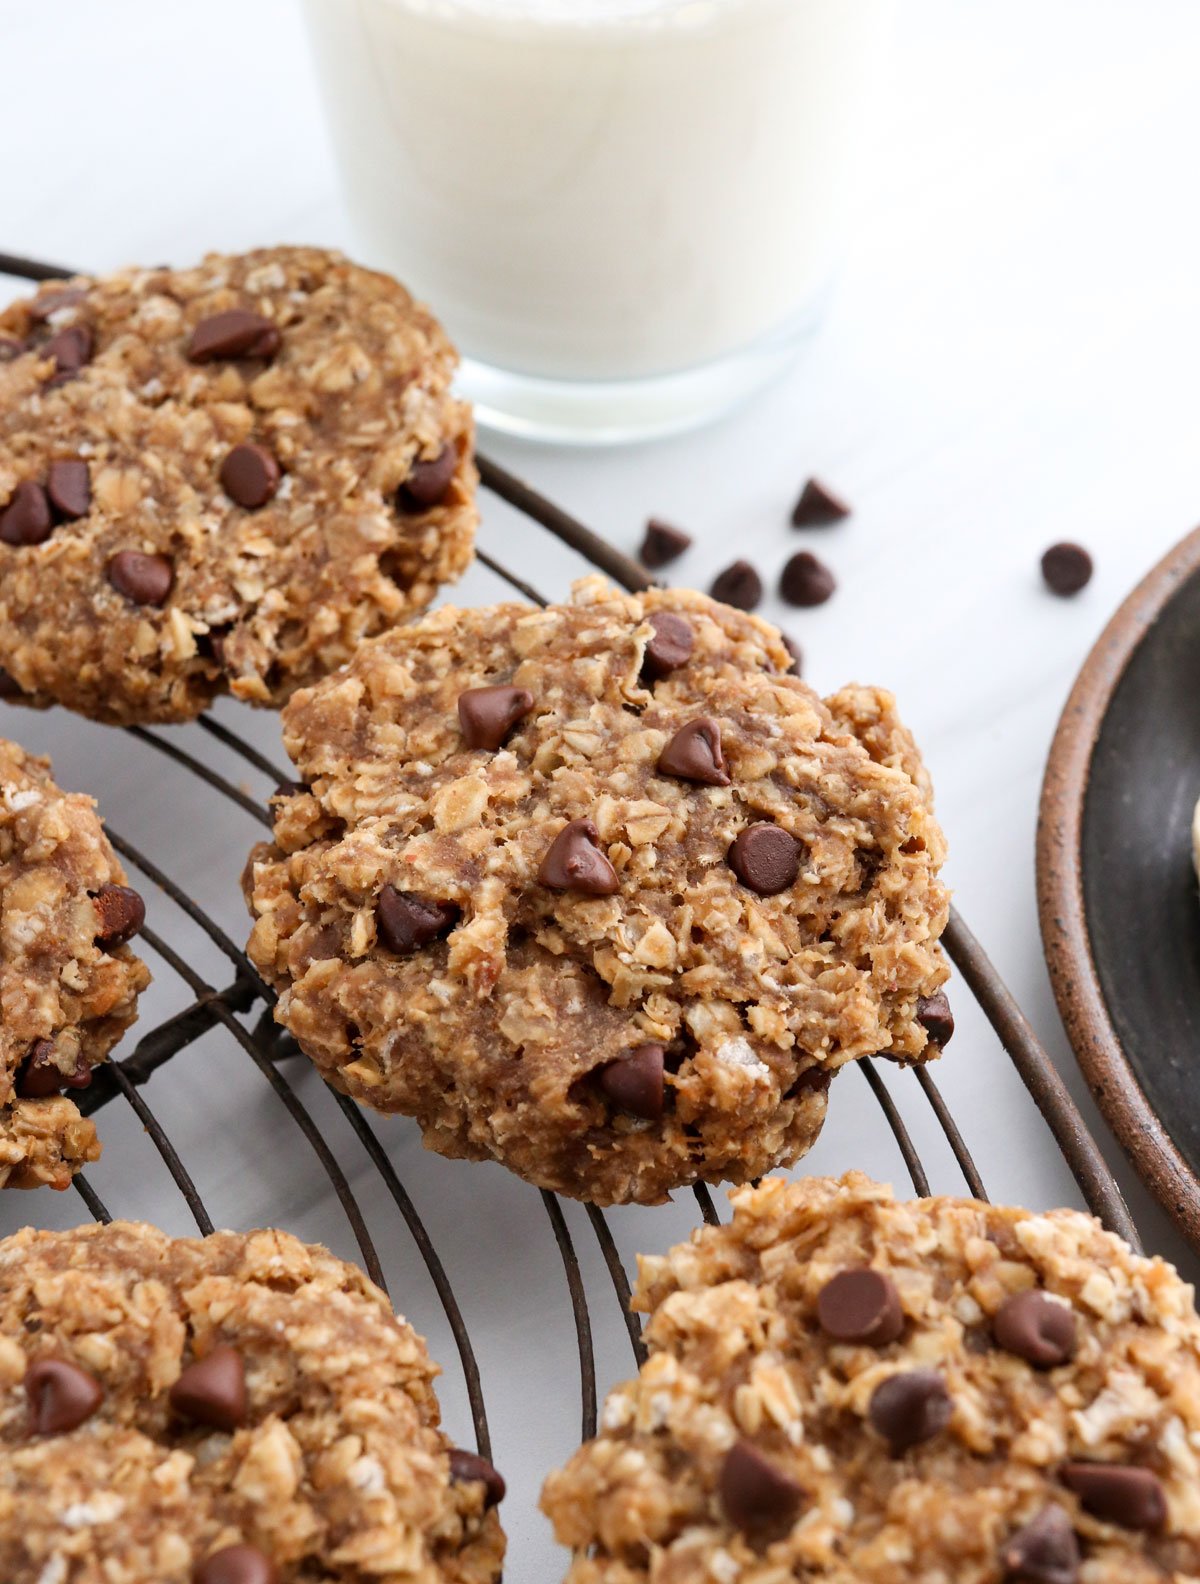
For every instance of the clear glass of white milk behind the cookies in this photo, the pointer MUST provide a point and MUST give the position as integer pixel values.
(625, 211)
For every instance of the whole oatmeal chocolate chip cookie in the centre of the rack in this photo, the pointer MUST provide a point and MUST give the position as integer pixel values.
(599, 891)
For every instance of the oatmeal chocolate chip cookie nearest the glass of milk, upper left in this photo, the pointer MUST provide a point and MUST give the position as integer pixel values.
(221, 479)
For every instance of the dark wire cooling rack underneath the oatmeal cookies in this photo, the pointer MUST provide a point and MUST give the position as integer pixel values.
(243, 1010)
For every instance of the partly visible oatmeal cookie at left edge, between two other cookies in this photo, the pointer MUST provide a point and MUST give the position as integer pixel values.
(69, 983)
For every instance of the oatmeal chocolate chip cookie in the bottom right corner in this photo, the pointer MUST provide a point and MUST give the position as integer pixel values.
(854, 1390)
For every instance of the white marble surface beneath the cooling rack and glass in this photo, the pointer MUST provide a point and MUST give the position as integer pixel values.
(1012, 359)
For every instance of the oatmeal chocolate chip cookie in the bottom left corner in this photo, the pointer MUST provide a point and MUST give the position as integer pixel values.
(232, 1411)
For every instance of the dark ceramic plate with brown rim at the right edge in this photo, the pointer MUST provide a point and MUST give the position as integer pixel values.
(1117, 893)
